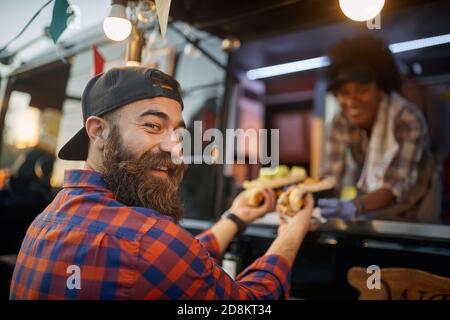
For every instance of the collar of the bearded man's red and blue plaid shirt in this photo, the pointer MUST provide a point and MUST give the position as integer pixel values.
(78, 178)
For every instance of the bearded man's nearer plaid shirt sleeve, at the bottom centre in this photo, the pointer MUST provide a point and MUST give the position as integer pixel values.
(174, 265)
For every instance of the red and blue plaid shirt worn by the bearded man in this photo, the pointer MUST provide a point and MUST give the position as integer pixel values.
(126, 252)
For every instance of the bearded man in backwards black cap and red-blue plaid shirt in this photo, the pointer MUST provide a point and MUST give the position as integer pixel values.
(112, 232)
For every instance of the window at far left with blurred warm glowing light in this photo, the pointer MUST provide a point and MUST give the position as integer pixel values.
(33, 101)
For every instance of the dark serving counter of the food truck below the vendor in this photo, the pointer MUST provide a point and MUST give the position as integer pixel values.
(320, 270)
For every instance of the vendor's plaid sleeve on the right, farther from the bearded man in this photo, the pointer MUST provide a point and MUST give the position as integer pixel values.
(401, 175)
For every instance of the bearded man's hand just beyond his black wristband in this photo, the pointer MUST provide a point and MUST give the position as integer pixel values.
(248, 213)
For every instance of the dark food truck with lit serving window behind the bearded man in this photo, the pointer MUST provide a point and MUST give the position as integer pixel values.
(250, 65)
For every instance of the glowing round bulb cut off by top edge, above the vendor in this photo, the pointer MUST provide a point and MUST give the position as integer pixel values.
(361, 10)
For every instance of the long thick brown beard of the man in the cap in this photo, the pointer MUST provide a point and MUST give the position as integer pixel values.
(129, 180)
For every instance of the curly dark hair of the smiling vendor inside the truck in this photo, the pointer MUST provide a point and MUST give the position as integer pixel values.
(369, 51)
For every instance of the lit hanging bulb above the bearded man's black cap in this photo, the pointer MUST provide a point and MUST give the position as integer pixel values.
(116, 26)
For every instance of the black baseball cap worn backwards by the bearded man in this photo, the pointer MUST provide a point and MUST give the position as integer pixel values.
(114, 89)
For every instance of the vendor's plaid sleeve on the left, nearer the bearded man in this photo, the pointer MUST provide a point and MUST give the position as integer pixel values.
(336, 147)
